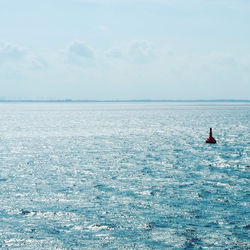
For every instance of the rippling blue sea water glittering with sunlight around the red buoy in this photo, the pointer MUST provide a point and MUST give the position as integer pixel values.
(124, 176)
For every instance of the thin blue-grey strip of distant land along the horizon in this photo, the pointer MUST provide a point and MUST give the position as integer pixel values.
(132, 100)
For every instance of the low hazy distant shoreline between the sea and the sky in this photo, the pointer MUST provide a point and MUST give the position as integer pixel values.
(137, 101)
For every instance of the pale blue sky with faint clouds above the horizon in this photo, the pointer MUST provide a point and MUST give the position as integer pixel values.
(124, 49)
